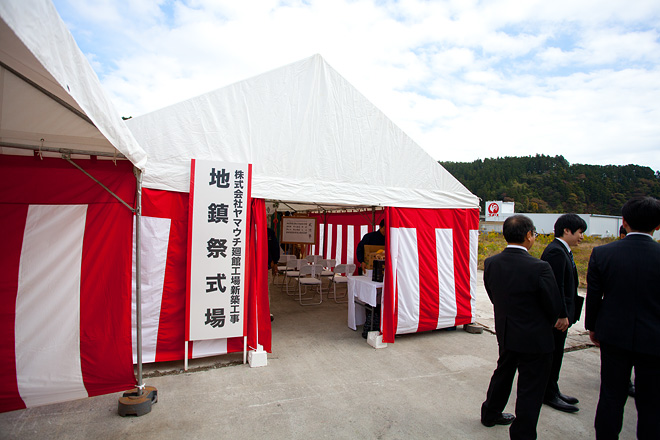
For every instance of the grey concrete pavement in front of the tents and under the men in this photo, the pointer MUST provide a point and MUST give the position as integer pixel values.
(324, 381)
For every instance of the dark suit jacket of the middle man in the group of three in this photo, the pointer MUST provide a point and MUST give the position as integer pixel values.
(566, 276)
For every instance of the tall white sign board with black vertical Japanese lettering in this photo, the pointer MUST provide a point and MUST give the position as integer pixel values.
(219, 194)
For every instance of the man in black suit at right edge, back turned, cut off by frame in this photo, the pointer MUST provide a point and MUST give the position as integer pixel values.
(623, 318)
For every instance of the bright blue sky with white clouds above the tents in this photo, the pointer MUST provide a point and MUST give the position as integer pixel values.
(465, 79)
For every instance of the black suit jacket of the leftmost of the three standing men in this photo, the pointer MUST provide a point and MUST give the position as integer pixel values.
(525, 299)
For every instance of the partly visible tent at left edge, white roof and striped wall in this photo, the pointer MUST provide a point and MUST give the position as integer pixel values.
(57, 221)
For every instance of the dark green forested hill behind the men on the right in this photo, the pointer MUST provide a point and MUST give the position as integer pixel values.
(550, 184)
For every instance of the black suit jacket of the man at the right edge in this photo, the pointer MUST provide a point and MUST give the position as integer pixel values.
(623, 294)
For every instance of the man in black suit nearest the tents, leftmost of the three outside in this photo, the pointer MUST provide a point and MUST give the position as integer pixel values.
(526, 303)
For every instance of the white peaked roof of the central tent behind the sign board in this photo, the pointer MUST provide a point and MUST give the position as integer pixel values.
(311, 137)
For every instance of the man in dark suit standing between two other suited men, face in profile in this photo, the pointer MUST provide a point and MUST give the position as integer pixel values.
(569, 229)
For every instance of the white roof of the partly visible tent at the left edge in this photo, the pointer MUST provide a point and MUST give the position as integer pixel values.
(50, 96)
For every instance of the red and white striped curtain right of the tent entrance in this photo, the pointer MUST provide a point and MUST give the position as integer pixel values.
(431, 269)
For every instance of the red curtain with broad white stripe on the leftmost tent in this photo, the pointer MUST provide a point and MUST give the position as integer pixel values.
(65, 284)
